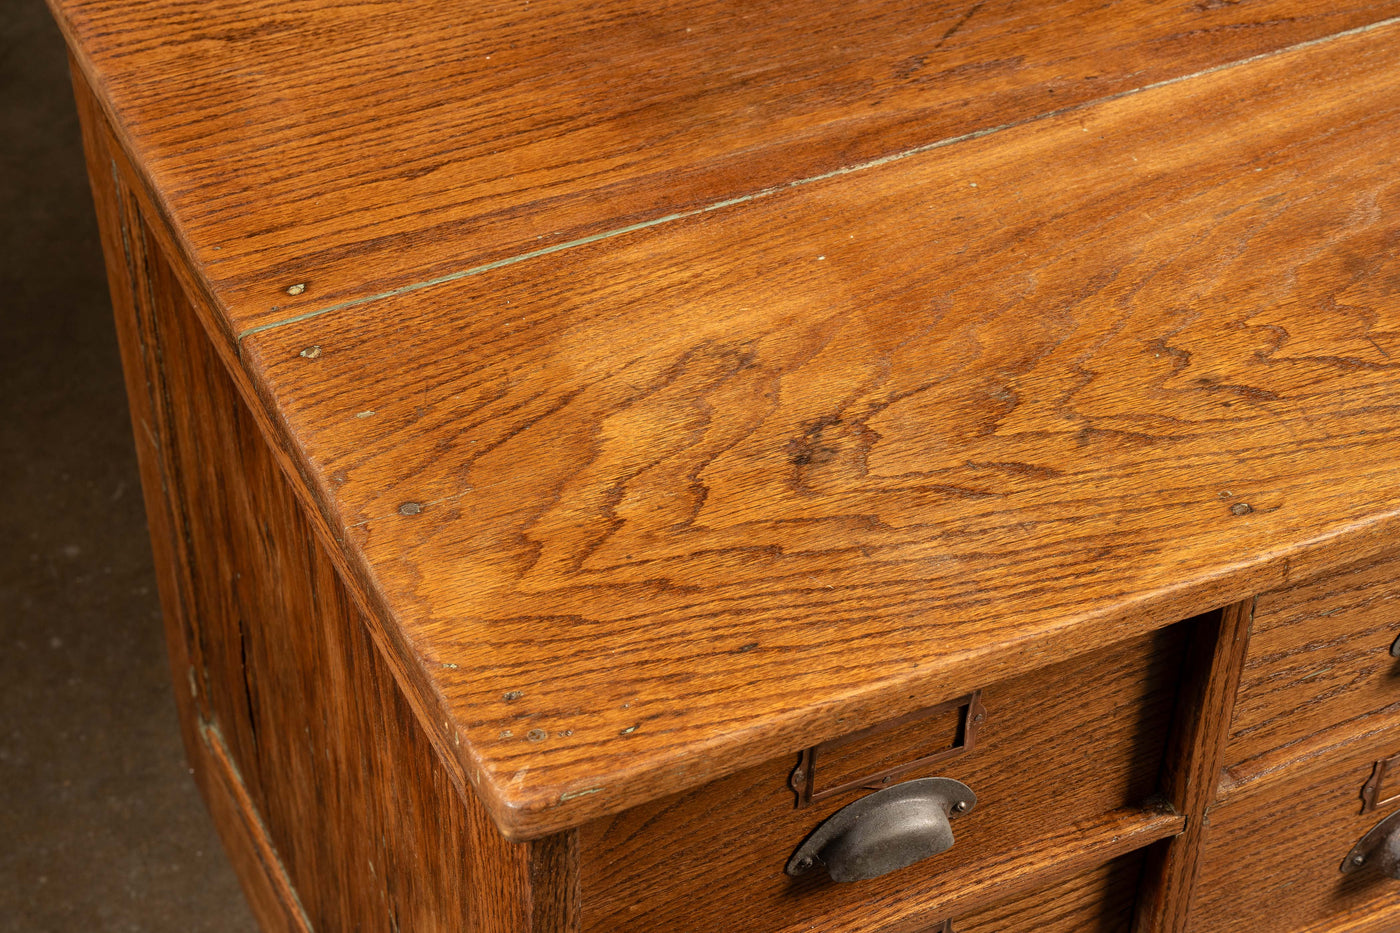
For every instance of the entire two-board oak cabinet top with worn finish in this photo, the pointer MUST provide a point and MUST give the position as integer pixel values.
(687, 386)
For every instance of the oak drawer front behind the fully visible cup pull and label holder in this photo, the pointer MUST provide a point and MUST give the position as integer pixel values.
(1063, 766)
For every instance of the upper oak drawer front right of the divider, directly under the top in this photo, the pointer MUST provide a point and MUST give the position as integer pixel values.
(1319, 668)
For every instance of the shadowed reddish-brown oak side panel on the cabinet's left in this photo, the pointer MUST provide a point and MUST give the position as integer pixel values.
(334, 805)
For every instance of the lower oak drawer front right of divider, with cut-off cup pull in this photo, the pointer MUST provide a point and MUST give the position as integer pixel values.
(1275, 851)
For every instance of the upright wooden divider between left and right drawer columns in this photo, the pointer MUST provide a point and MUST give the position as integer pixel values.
(1196, 753)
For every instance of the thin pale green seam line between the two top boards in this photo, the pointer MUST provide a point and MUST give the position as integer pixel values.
(801, 183)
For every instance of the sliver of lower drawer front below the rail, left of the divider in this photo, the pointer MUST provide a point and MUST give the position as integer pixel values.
(1098, 901)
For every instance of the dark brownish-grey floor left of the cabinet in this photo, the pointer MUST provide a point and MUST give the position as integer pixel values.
(101, 827)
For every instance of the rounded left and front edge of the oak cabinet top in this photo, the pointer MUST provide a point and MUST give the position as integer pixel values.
(526, 812)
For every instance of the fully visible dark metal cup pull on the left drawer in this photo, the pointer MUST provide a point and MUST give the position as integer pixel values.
(885, 831)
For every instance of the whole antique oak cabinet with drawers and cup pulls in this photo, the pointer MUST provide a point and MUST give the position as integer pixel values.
(590, 449)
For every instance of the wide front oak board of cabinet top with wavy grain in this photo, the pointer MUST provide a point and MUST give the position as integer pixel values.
(664, 506)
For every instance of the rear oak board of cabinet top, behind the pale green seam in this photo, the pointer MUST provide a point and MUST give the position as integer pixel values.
(359, 148)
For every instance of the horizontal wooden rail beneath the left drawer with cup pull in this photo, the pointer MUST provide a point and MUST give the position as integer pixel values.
(1080, 847)
